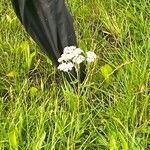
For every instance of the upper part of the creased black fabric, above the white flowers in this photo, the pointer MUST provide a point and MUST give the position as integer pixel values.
(49, 23)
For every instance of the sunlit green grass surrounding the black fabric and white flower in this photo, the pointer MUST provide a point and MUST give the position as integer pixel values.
(111, 111)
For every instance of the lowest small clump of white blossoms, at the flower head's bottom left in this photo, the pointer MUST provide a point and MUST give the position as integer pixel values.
(66, 67)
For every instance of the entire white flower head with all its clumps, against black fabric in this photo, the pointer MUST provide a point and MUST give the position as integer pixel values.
(72, 56)
